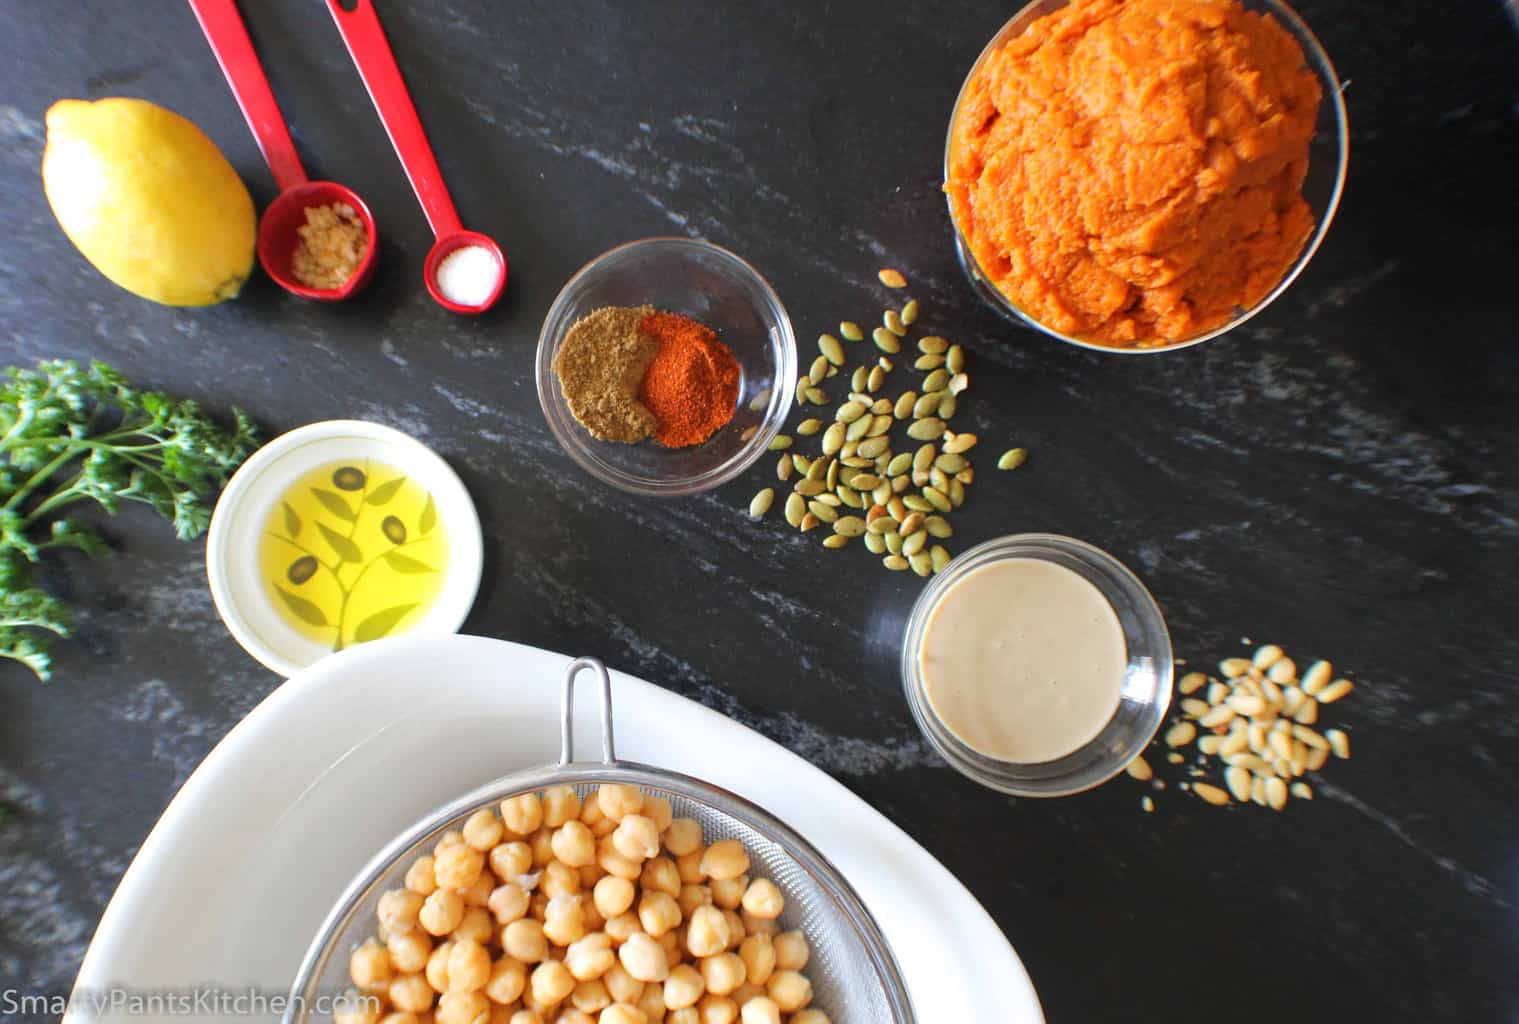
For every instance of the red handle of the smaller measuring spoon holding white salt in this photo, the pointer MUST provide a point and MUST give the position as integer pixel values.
(367, 43)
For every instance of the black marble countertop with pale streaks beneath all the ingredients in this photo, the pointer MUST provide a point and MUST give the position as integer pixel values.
(1339, 476)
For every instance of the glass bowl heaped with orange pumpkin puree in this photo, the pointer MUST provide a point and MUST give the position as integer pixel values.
(1145, 175)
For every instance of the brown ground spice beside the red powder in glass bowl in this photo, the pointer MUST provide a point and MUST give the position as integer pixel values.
(601, 365)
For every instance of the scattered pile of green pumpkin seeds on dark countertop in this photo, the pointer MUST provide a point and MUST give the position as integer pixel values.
(897, 504)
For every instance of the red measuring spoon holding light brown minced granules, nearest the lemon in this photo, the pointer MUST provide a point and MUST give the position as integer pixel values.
(286, 215)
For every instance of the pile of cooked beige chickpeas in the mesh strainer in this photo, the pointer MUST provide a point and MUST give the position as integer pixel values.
(560, 911)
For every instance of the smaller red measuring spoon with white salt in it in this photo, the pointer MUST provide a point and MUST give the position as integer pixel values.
(371, 52)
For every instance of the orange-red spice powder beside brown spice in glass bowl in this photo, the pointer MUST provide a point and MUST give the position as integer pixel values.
(692, 385)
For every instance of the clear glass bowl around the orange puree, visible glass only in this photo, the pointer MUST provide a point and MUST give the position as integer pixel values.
(1328, 157)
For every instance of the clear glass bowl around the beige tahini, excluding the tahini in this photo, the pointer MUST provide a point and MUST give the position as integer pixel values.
(1148, 680)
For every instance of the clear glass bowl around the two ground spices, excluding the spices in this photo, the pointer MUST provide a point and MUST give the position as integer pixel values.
(709, 285)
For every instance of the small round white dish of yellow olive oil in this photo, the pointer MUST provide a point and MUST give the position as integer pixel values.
(338, 534)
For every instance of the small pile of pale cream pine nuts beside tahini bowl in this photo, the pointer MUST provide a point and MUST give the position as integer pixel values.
(1255, 721)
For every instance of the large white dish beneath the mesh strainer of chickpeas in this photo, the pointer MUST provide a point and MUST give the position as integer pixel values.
(248, 859)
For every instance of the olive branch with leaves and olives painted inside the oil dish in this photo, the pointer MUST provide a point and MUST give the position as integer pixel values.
(350, 555)
